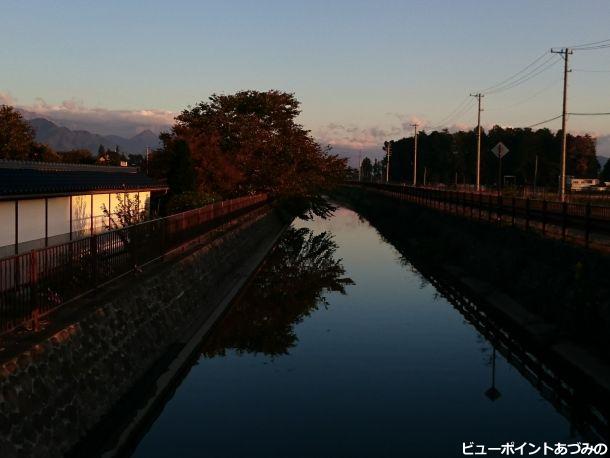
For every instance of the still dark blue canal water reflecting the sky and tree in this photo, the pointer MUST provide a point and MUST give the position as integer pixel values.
(339, 347)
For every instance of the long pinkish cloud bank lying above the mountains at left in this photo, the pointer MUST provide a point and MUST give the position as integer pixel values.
(74, 115)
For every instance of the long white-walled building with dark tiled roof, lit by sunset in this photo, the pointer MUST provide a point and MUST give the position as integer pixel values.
(44, 203)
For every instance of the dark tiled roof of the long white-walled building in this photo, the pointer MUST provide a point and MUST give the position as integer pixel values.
(25, 181)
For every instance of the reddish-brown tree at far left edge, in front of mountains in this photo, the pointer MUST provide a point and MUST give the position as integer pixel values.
(16, 135)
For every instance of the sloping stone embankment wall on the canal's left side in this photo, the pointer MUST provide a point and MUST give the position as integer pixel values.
(53, 394)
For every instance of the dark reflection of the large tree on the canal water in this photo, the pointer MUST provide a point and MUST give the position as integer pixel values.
(290, 286)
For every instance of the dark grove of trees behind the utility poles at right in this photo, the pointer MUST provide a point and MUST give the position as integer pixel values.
(451, 157)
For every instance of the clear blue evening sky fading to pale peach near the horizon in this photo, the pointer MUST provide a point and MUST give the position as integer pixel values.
(363, 70)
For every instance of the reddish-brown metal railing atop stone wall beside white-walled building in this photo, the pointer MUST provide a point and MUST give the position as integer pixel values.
(35, 283)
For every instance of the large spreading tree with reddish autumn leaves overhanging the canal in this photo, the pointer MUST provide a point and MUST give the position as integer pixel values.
(250, 142)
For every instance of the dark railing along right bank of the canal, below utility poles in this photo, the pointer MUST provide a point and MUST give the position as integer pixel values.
(586, 224)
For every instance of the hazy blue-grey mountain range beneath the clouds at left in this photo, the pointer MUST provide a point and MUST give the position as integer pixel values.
(63, 139)
